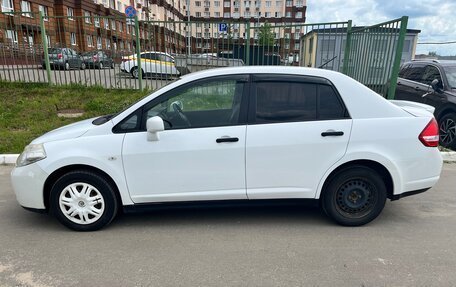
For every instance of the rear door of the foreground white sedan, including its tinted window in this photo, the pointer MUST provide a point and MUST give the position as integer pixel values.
(298, 128)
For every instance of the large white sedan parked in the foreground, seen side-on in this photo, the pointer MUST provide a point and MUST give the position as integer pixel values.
(236, 134)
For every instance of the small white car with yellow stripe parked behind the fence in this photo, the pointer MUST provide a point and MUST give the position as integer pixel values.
(152, 63)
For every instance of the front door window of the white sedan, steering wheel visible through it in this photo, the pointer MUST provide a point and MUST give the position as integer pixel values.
(208, 104)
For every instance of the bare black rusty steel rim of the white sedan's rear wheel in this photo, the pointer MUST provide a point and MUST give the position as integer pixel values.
(356, 198)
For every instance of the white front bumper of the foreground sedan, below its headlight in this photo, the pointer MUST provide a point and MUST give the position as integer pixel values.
(28, 183)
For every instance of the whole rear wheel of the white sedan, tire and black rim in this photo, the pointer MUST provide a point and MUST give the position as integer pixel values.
(354, 196)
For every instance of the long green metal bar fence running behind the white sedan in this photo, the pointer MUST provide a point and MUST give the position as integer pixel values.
(148, 54)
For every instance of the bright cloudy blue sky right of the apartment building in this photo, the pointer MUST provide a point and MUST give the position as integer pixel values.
(435, 18)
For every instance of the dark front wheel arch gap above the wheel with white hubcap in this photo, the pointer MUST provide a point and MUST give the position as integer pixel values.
(55, 175)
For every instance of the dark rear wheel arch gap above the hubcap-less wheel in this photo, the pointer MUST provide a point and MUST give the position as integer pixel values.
(375, 165)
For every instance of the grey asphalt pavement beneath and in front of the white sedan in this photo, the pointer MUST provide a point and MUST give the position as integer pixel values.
(410, 244)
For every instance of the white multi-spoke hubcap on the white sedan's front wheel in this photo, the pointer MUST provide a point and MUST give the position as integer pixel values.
(81, 203)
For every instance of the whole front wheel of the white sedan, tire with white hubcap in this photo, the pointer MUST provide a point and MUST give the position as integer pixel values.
(106, 202)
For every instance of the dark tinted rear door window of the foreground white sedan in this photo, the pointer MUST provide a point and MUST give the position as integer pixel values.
(295, 101)
